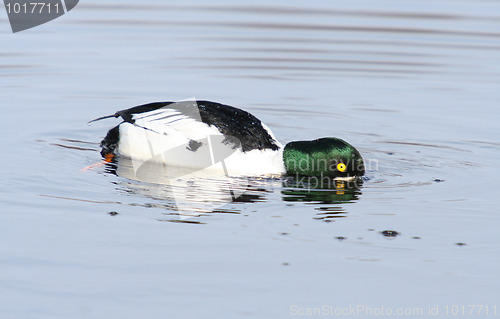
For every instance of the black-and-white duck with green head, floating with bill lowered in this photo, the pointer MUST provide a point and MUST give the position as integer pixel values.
(203, 133)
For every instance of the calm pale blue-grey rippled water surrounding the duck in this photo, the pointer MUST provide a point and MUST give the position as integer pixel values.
(412, 84)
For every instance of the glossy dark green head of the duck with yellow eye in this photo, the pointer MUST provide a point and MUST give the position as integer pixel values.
(327, 156)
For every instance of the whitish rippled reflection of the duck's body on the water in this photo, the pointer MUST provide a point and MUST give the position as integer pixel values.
(189, 193)
